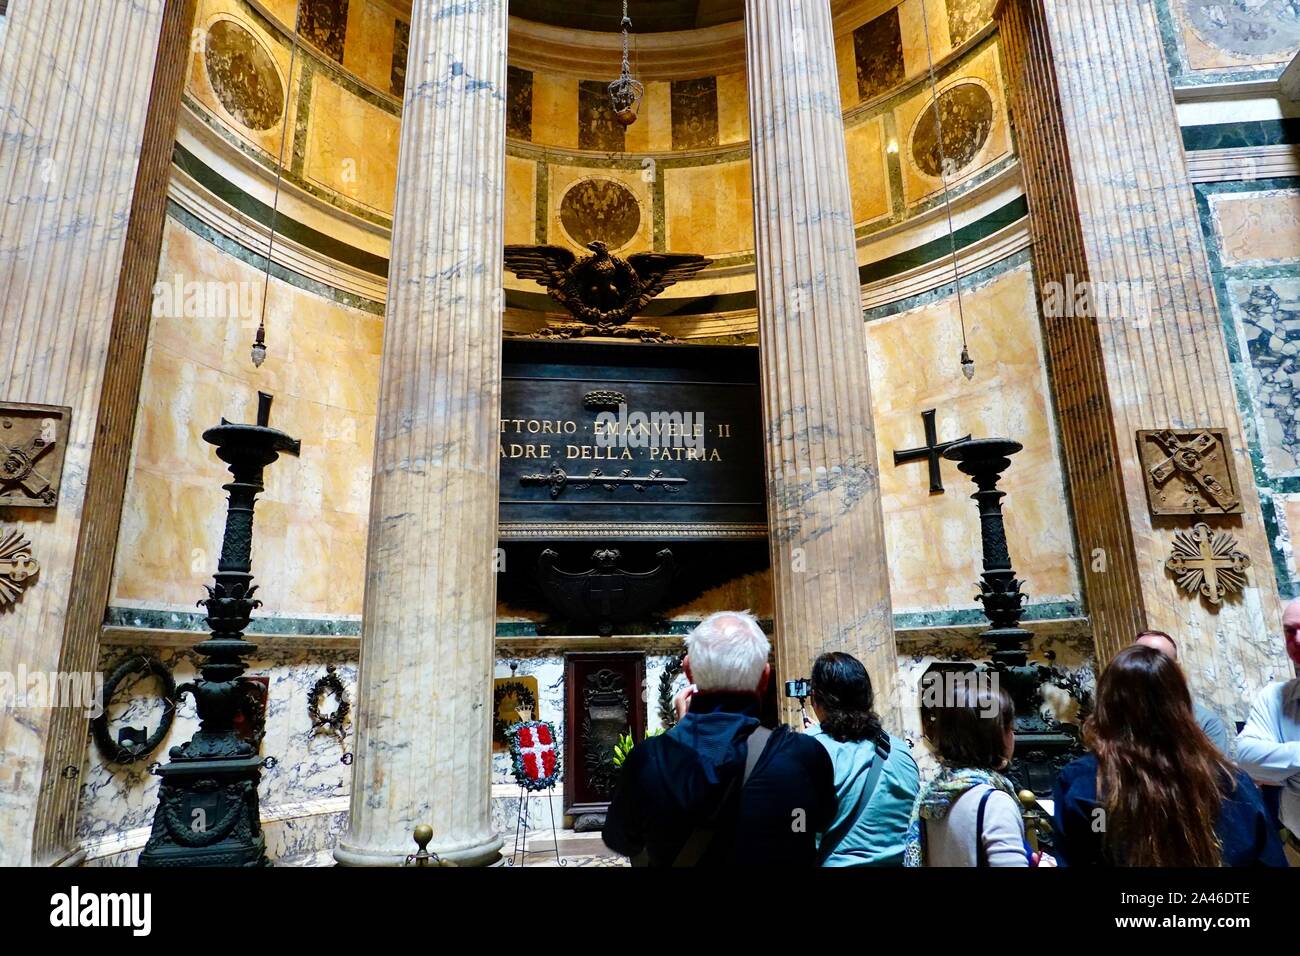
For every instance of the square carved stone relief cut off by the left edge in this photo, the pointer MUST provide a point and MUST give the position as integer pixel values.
(33, 442)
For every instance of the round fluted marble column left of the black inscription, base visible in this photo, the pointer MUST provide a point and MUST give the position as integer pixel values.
(424, 690)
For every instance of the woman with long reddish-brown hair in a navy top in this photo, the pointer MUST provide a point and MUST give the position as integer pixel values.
(1155, 791)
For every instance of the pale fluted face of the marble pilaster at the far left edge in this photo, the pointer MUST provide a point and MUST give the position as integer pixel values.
(75, 83)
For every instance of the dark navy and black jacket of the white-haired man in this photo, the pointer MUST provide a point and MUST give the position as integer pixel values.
(678, 782)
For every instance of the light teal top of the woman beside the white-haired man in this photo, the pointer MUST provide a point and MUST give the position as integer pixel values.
(881, 832)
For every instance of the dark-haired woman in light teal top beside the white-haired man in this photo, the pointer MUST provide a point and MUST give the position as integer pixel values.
(876, 777)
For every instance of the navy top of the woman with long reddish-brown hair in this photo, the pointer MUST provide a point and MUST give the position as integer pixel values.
(1243, 828)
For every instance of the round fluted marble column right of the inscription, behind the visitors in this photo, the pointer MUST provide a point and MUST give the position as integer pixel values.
(827, 533)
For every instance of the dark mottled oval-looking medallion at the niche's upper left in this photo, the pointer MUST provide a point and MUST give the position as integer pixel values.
(244, 76)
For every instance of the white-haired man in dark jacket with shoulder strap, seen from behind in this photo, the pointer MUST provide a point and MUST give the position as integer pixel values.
(720, 790)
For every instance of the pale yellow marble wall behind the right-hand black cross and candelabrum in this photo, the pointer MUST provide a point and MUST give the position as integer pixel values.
(934, 540)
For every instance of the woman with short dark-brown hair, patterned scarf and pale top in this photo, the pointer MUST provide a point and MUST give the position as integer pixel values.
(970, 814)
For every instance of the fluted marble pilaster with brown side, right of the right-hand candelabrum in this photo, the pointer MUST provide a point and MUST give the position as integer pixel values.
(1112, 204)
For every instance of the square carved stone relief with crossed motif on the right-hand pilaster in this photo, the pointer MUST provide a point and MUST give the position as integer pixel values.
(1189, 471)
